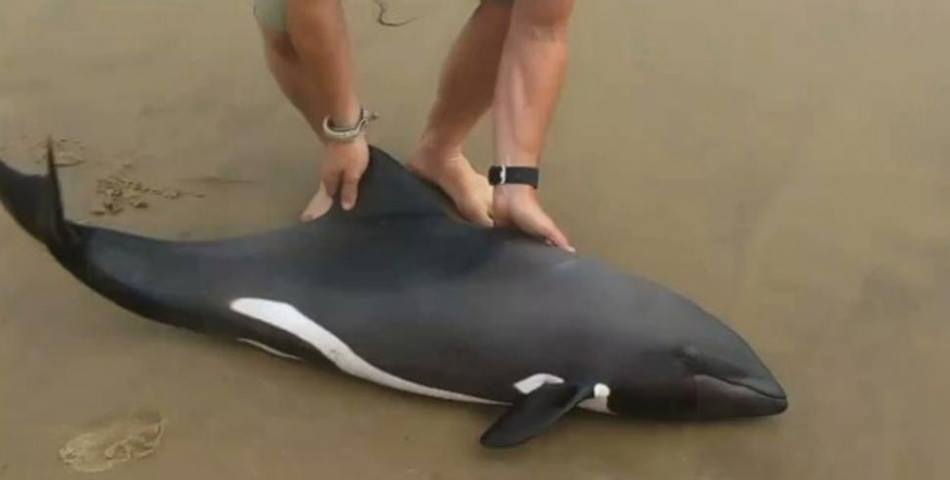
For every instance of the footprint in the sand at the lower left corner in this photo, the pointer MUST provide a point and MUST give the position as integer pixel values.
(114, 441)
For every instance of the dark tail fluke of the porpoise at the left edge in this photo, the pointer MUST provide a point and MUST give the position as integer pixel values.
(36, 204)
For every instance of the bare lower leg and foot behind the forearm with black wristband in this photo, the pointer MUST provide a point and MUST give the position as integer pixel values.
(466, 90)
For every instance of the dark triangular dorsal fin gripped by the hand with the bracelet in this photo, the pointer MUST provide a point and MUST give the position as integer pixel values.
(388, 188)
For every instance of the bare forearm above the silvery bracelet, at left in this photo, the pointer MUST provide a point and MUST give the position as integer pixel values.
(319, 35)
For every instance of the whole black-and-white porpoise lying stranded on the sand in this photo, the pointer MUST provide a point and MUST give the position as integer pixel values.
(399, 292)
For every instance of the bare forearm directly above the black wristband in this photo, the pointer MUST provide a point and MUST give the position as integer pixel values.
(529, 82)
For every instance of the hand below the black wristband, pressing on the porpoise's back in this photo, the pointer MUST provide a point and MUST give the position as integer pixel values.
(518, 206)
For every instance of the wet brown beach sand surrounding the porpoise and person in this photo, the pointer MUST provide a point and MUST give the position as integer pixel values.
(787, 164)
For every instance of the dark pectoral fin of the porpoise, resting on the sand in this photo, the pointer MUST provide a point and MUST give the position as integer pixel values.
(534, 413)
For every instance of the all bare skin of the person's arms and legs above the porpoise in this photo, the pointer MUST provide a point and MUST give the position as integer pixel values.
(510, 58)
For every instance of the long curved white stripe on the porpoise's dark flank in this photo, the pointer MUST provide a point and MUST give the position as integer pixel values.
(289, 319)
